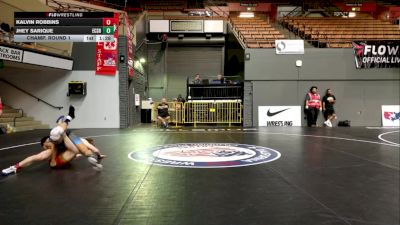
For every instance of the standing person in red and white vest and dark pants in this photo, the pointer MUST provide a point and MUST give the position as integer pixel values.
(312, 106)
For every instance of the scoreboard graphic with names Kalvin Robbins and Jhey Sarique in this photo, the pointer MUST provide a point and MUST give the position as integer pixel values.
(65, 26)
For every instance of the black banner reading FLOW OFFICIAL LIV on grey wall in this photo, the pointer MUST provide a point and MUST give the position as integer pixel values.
(376, 54)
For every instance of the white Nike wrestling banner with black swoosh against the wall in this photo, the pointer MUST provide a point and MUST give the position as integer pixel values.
(279, 116)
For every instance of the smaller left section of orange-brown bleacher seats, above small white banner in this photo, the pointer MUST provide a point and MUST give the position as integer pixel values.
(256, 32)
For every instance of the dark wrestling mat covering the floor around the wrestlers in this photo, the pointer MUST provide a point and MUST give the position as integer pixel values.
(323, 176)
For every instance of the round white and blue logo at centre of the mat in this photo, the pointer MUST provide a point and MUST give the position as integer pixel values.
(206, 155)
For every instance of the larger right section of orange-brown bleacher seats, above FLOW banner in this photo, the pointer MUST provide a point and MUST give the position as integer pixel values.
(336, 32)
